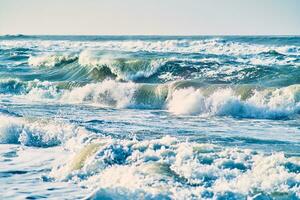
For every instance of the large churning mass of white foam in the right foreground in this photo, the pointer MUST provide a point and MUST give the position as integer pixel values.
(169, 168)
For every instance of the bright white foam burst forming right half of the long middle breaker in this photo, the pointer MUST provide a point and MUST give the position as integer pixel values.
(243, 102)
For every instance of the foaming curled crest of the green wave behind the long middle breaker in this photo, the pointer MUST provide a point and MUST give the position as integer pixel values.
(101, 65)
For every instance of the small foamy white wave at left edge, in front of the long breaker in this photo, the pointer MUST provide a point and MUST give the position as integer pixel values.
(35, 132)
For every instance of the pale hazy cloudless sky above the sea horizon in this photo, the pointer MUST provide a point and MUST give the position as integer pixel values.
(172, 17)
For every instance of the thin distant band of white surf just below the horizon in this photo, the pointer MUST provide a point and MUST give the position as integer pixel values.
(207, 46)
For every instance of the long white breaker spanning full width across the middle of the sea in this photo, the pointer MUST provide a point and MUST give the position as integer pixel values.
(179, 98)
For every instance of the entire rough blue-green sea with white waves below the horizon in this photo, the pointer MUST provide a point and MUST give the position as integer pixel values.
(149, 117)
